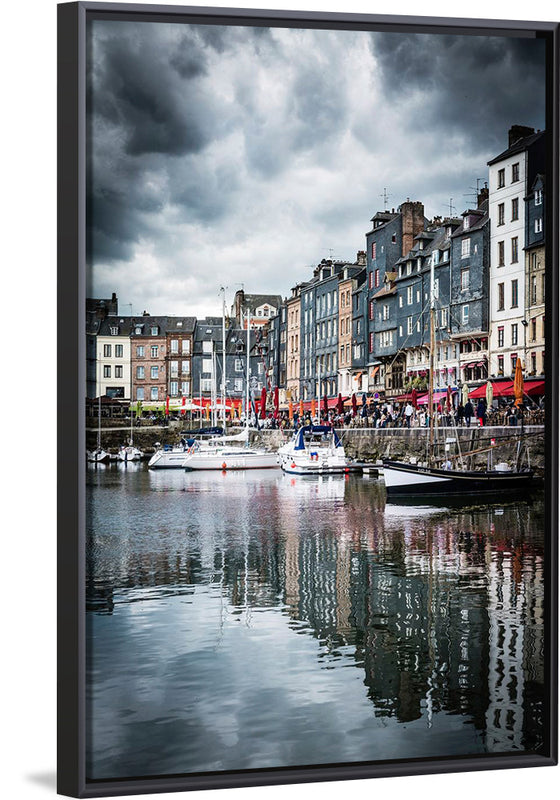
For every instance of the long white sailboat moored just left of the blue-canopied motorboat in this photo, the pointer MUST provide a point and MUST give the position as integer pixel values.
(225, 456)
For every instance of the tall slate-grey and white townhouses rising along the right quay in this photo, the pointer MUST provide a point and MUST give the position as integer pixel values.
(364, 326)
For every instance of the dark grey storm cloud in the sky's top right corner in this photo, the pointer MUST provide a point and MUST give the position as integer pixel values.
(476, 85)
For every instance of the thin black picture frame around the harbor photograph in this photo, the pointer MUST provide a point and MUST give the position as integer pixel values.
(72, 379)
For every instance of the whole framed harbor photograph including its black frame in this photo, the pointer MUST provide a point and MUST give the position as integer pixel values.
(308, 389)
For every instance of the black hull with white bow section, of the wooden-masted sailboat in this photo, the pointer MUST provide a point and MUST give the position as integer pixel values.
(410, 479)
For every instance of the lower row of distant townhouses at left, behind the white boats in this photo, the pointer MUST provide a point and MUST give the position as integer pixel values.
(150, 358)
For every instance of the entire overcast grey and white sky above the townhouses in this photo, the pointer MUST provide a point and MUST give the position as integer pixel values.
(229, 156)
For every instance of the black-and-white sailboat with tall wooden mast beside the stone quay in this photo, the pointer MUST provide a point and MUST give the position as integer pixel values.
(433, 479)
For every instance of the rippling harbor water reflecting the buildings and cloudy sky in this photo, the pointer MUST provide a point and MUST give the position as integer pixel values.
(246, 620)
